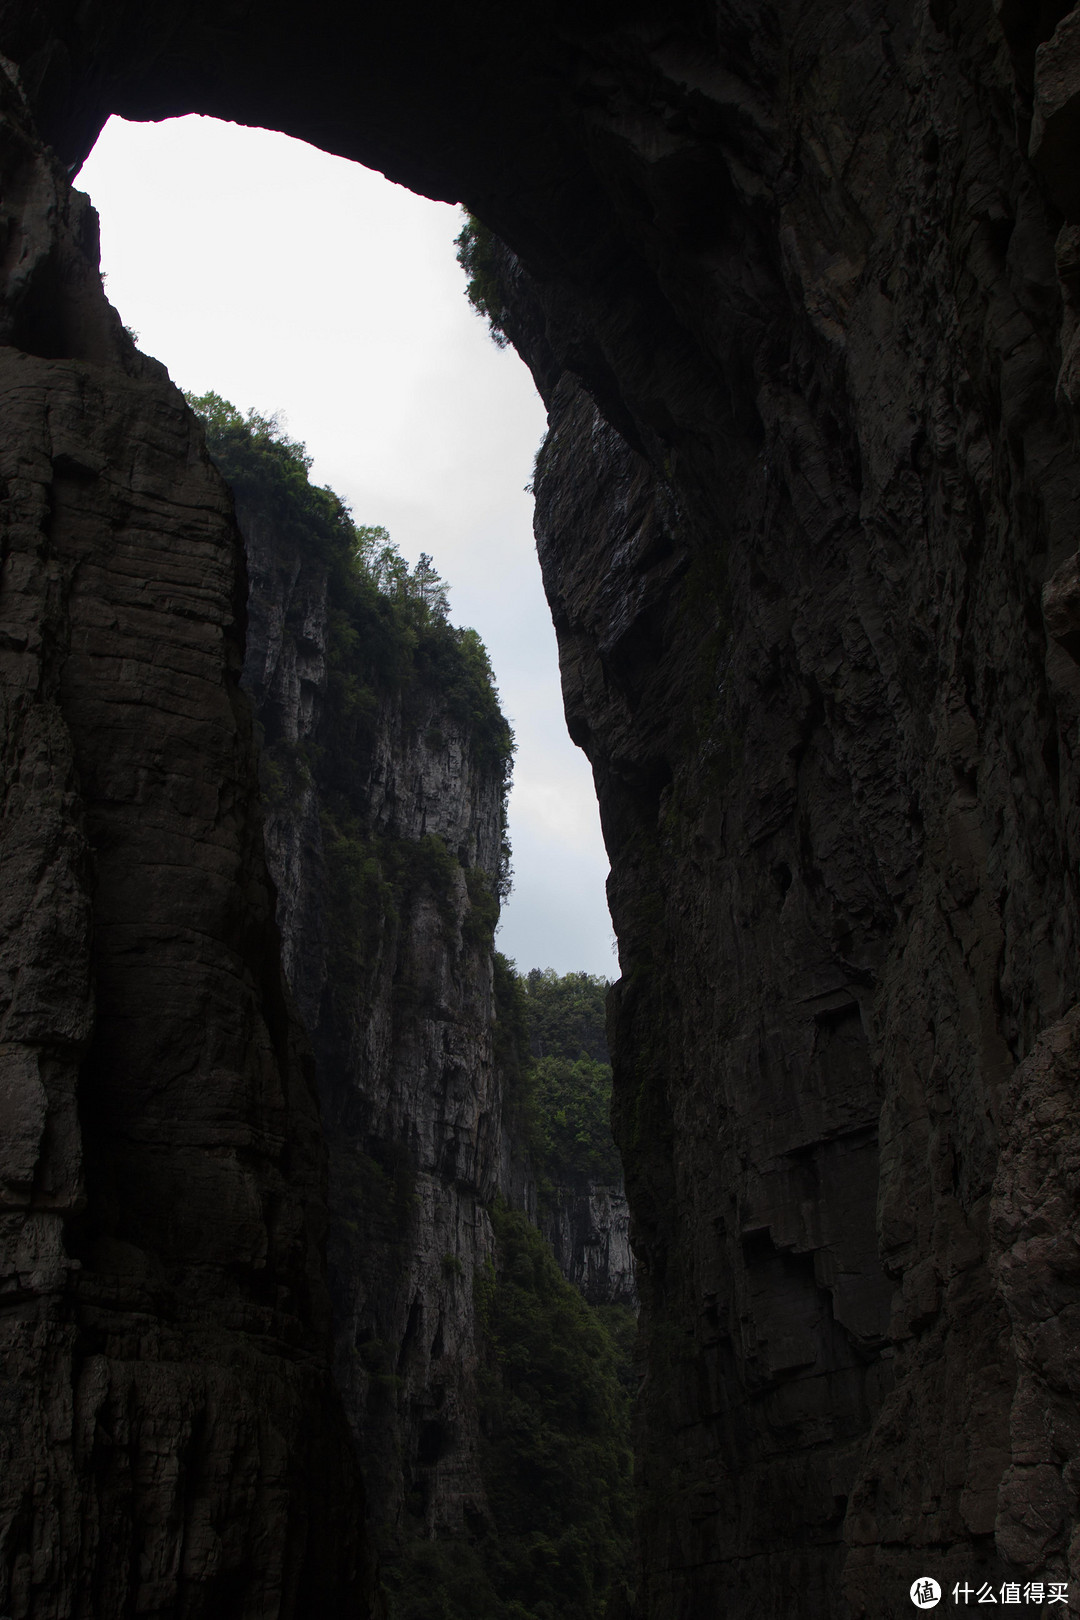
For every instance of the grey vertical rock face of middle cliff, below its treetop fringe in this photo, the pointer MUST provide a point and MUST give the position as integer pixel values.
(380, 872)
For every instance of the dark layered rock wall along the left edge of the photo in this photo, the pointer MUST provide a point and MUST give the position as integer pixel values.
(172, 1443)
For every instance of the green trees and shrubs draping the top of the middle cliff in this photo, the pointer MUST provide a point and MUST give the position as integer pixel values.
(393, 660)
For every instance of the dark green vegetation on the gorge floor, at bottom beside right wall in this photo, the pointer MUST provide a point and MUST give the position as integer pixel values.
(556, 1456)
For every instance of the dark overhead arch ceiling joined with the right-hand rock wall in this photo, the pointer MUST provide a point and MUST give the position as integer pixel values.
(799, 286)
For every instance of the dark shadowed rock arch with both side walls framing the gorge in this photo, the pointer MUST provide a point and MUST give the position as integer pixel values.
(799, 288)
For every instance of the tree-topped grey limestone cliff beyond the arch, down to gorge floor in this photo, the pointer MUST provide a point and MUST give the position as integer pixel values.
(474, 1376)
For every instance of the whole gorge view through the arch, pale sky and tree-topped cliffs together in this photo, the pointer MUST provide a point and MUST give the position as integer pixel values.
(380, 448)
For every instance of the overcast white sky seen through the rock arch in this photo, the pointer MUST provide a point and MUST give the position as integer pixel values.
(302, 284)
